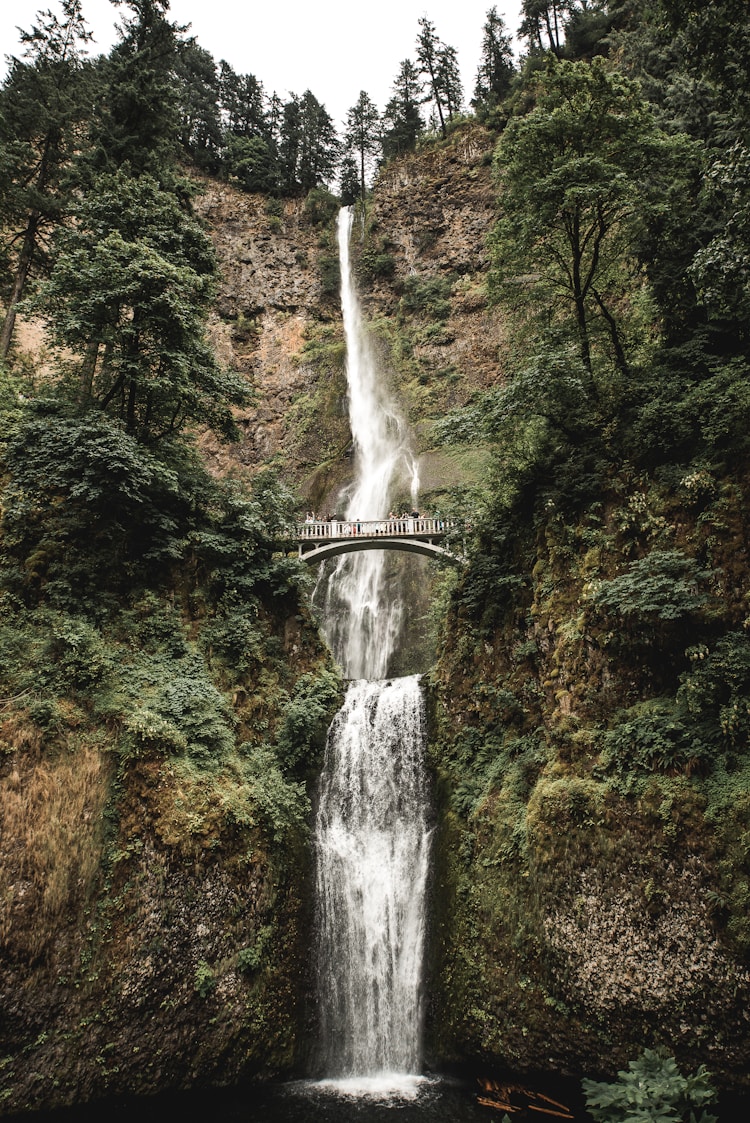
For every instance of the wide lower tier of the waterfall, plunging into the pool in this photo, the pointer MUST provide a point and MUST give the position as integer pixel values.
(373, 844)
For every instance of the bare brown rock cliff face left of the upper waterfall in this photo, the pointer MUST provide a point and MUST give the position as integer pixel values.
(277, 322)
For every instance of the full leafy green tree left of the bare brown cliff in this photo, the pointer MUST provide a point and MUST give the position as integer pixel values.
(129, 296)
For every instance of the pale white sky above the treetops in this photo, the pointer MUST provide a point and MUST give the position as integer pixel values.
(333, 48)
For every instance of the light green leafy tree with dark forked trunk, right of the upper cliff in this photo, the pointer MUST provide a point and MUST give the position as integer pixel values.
(579, 177)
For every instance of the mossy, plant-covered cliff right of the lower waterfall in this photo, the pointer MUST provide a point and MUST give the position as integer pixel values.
(590, 739)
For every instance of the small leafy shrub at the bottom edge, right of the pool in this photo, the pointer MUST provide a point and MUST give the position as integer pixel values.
(652, 1091)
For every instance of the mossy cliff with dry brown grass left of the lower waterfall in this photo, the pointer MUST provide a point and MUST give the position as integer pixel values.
(154, 854)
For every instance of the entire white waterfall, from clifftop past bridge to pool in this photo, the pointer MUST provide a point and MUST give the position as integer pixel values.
(372, 835)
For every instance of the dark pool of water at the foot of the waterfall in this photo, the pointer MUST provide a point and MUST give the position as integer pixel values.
(406, 1100)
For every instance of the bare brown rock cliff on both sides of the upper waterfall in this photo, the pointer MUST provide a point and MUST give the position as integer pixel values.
(422, 258)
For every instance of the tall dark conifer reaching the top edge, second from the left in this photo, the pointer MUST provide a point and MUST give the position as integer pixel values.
(138, 116)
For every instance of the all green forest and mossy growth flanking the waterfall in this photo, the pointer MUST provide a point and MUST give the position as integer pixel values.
(162, 678)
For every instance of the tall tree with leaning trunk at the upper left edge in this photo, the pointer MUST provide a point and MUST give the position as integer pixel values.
(42, 105)
